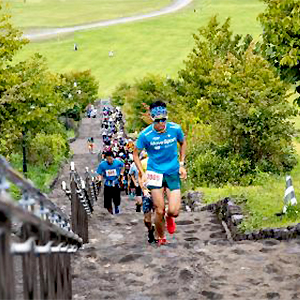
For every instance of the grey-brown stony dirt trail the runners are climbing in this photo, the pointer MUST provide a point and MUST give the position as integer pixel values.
(198, 263)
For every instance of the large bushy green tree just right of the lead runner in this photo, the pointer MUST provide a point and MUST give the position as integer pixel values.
(243, 102)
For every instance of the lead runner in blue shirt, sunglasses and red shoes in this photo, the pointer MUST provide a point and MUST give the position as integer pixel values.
(160, 140)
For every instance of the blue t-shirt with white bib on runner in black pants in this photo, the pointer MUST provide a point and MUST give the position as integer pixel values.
(111, 172)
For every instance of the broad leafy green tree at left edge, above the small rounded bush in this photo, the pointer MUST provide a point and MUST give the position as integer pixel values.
(29, 102)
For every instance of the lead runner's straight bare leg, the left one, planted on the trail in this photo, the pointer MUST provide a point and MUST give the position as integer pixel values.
(158, 201)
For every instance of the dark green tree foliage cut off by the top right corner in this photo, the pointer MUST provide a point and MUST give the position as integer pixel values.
(281, 37)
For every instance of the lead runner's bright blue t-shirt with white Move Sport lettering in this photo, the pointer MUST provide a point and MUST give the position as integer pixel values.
(161, 148)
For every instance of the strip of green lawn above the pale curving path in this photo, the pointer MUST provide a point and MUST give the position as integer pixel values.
(60, 13)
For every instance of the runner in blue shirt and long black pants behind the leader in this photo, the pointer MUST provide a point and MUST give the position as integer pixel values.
(110, 170)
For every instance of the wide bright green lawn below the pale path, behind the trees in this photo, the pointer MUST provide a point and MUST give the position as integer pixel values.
(157, 45)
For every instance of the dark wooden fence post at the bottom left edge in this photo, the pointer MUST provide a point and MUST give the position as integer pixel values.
(7, 282)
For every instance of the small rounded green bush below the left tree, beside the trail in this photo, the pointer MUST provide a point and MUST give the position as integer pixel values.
(47, 149)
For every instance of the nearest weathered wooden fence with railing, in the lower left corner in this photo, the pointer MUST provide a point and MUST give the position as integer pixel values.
(44, 242)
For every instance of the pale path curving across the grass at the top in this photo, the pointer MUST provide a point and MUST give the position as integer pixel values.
(49, 33)
